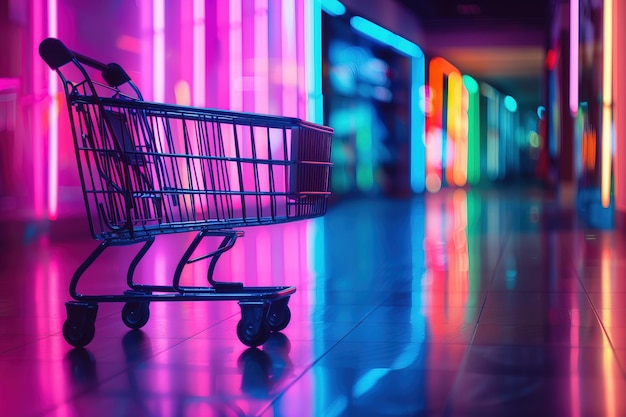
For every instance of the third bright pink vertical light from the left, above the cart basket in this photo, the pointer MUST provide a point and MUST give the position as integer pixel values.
(199, 54)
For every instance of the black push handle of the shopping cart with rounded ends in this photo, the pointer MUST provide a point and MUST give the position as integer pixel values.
(56, 54)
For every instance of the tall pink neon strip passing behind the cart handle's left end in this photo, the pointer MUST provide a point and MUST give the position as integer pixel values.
(53, 124)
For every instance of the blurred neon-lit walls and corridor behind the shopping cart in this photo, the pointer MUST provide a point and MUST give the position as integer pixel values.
(423, 95)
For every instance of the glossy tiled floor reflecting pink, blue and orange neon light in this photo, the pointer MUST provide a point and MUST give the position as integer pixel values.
(455, 304)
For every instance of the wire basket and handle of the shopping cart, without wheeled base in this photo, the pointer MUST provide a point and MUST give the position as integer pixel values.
(152, 168)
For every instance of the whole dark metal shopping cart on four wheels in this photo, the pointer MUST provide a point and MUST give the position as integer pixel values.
(149, 169)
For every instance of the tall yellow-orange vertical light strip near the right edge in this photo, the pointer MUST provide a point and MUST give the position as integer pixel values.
(607, 103)
